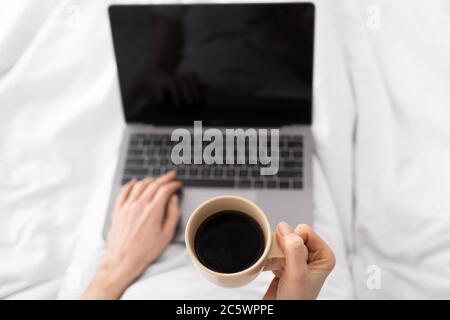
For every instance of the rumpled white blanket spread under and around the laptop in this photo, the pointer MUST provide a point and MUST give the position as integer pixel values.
(381, 130)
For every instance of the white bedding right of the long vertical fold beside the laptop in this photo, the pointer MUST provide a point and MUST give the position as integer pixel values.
(401, 78)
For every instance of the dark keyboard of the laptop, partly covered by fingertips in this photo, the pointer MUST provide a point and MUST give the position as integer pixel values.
(149, 155)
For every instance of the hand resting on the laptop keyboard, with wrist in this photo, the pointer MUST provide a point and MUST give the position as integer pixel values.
(144, 222)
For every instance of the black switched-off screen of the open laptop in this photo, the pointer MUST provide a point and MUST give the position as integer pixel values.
(224, 64)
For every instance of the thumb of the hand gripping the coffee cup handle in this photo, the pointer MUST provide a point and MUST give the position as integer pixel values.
(292, 245)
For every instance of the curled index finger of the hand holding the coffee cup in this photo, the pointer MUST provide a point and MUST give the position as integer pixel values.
(320, 254)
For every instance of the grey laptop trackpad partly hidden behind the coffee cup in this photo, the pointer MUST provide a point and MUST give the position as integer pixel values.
(193, 197)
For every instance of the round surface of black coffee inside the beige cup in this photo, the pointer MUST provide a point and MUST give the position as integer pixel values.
(229, 242)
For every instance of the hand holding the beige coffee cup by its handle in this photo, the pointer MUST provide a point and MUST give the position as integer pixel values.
(298, 278)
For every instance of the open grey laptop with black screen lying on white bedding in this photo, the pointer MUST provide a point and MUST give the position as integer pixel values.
(221, 67)
